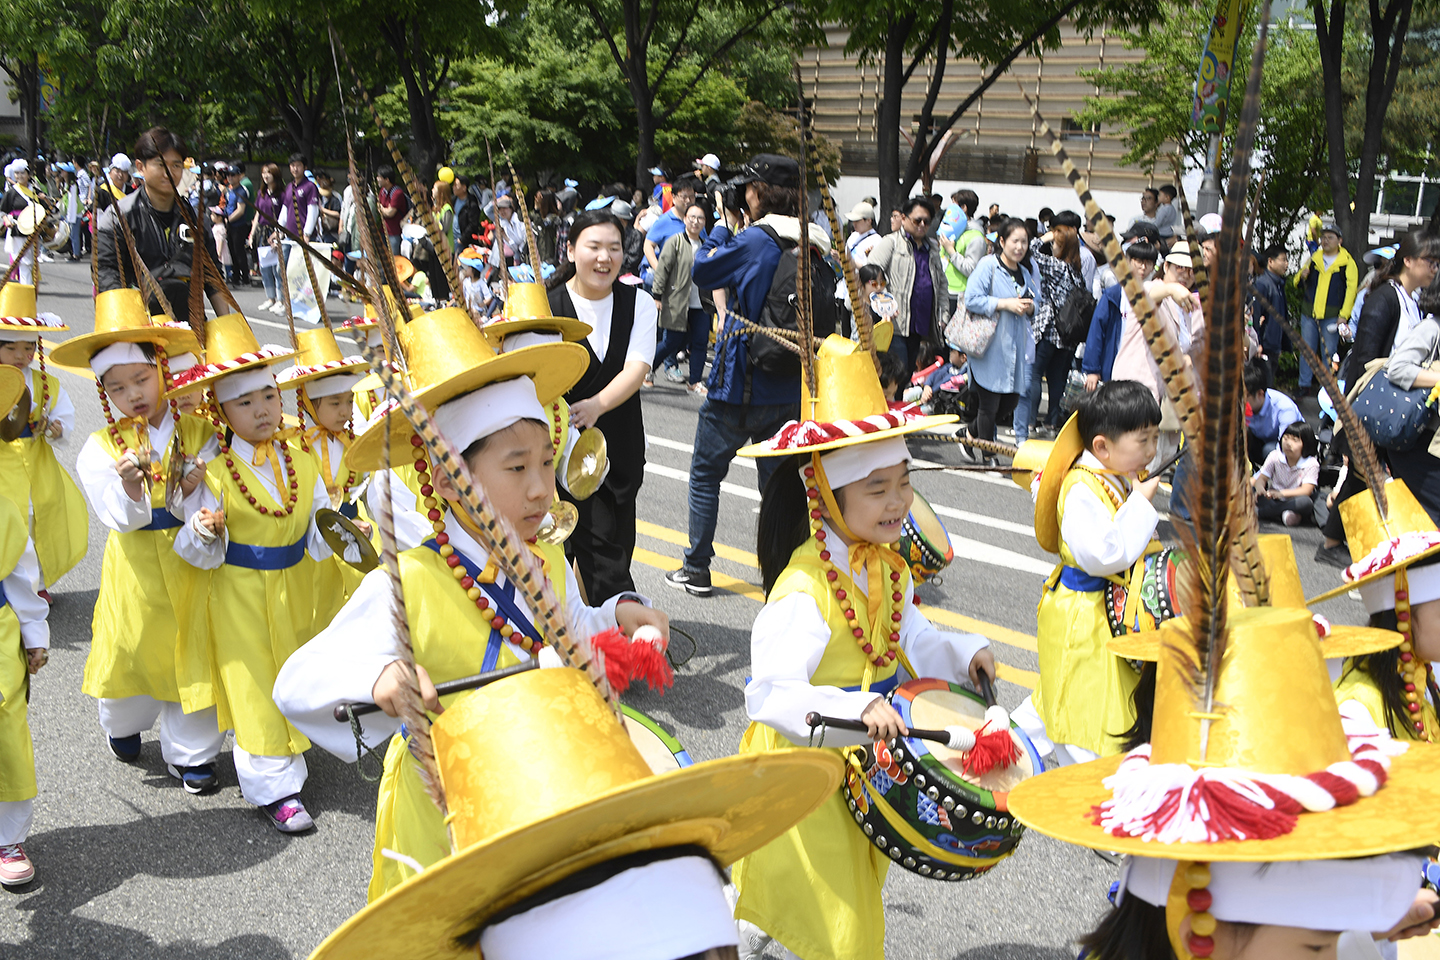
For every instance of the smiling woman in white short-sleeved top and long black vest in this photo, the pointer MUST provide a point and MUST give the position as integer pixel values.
(623, 348)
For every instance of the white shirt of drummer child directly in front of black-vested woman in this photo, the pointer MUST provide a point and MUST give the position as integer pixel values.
(343, 661)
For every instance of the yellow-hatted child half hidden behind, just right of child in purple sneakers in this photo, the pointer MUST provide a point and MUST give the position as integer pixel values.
(325, 382)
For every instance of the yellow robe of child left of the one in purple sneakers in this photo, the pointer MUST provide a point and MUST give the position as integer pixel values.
(149, 633)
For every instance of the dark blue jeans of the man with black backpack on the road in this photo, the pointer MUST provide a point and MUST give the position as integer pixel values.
(722, 430)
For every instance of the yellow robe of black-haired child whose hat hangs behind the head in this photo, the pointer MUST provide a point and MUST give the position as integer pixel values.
(1085, 693)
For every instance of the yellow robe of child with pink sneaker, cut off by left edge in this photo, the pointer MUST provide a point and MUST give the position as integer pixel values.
(17, 748)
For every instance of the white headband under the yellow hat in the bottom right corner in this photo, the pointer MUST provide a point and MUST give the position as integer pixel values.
(1369, 895)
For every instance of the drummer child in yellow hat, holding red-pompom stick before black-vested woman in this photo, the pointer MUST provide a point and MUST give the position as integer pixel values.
(490, 409)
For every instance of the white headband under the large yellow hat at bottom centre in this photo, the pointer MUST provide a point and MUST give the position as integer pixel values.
(659, 912)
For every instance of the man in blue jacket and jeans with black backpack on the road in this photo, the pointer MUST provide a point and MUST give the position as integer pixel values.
(748, 402)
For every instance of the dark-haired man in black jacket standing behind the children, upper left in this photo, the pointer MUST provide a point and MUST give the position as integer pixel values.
(165, 237)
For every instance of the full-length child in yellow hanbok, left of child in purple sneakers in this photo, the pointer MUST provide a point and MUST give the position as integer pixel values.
(150, 654)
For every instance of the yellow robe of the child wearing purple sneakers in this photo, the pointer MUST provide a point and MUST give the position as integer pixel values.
(258, 618)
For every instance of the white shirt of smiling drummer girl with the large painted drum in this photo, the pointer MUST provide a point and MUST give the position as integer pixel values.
(787, 644)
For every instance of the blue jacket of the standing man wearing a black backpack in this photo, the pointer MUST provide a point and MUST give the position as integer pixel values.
(745, 263)
